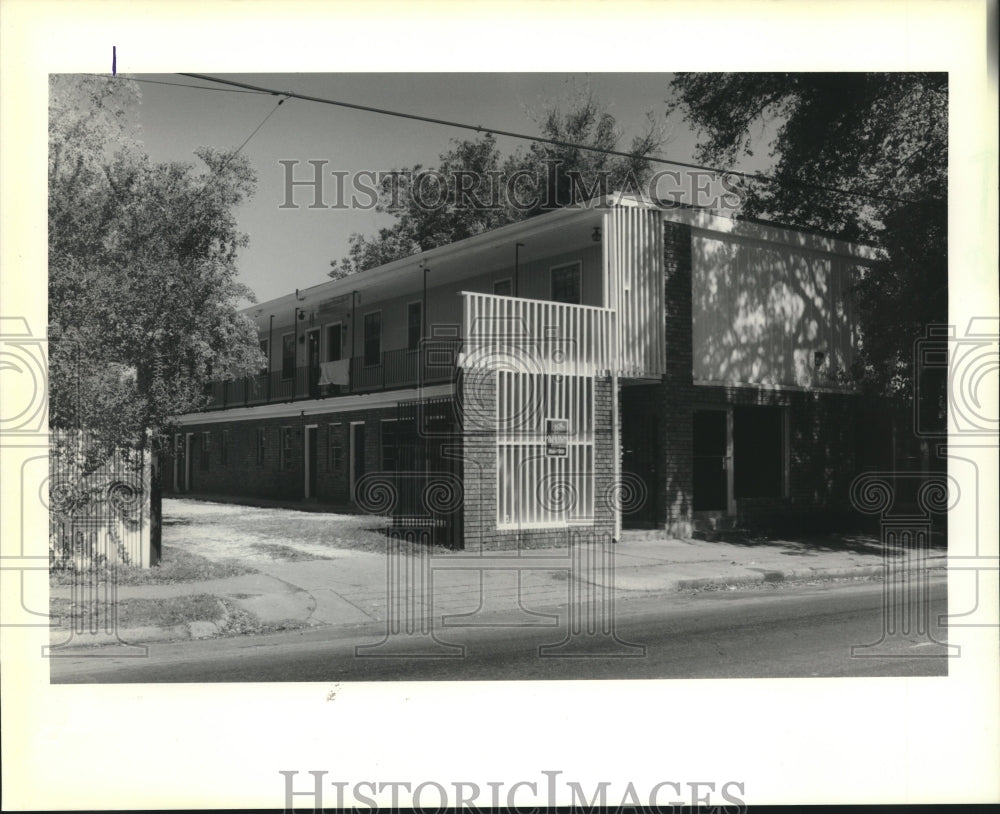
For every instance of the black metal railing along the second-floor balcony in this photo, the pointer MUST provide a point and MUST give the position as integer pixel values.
(433, 363)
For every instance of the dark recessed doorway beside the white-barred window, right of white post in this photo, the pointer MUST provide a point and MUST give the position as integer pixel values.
(641, 456)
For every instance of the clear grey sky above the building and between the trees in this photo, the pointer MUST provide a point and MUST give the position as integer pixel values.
(292, 248)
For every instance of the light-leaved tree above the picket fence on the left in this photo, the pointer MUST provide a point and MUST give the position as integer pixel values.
(143, 292)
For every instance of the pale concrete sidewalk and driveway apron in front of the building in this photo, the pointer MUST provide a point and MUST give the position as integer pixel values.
(464, 589)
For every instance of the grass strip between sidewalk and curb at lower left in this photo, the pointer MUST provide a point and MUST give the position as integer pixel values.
(128, 613)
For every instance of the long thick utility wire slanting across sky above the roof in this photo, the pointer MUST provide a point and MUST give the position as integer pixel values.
(556, 142)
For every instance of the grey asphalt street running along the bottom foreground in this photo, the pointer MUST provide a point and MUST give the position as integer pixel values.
(791, 631)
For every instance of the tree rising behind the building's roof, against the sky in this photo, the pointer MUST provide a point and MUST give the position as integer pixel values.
(475, 188)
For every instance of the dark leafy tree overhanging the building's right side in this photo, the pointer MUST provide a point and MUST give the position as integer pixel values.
(881, 136)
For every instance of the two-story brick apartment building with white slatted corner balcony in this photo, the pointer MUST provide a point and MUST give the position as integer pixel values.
(614, 364)
